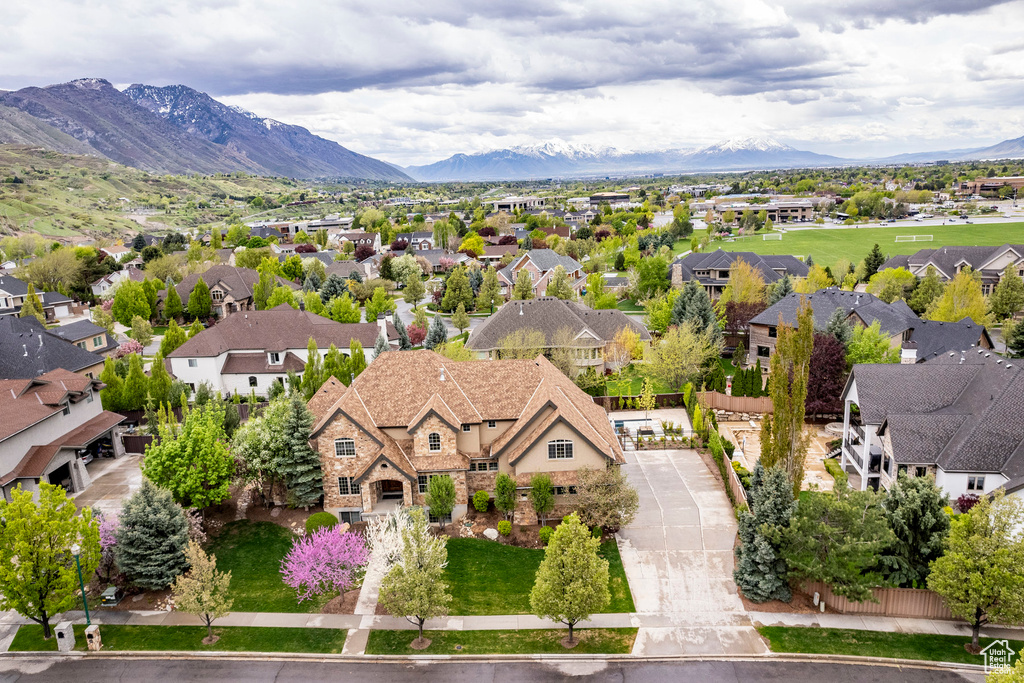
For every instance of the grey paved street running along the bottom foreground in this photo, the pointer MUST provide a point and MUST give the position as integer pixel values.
(59, 670)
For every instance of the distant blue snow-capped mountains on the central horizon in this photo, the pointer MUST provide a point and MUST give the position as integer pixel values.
(561, 159)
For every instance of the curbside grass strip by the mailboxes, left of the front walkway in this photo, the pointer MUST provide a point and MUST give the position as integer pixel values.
(233, 639)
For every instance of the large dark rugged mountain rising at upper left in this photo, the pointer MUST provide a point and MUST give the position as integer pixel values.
(174, 130)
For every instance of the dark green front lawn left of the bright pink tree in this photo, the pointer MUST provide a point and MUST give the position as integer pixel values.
(252, 552)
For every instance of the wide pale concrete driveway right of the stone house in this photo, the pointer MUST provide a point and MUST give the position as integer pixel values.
(678, 558)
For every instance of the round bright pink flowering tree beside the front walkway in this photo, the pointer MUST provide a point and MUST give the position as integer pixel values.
(324, 562)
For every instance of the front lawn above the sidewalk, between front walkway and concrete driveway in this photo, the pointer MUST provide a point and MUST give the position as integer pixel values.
(489, 578)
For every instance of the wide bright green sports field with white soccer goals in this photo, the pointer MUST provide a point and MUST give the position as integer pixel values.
(829, 245)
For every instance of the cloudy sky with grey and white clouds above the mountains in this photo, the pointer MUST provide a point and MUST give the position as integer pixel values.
(413, 82)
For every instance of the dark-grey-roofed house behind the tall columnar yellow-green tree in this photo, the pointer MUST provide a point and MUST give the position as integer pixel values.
(919, 339)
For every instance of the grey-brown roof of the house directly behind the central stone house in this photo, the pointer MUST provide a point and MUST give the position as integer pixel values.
(549, 315)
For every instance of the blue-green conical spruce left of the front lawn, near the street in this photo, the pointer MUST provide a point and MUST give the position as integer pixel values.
(152, 538)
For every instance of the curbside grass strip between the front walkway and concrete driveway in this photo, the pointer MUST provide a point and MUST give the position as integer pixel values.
(541, 642)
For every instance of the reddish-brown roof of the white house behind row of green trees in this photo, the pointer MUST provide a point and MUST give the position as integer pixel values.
(280, 329)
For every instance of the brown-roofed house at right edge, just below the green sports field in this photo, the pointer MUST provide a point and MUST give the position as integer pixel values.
(989, 263)
